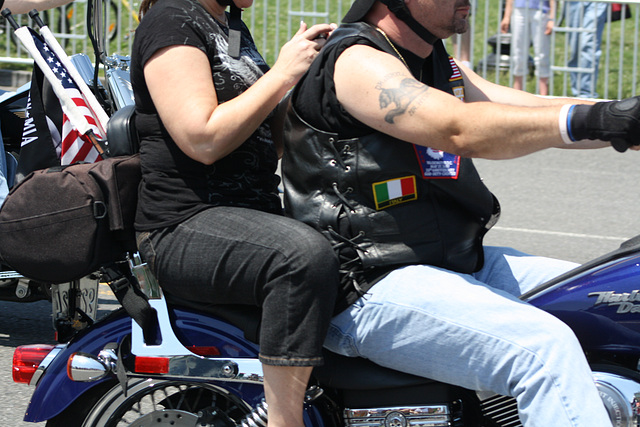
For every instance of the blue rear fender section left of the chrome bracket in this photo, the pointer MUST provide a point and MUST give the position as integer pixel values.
(55, 391)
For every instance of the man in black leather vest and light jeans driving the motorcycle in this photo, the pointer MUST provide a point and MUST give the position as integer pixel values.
(378, 149)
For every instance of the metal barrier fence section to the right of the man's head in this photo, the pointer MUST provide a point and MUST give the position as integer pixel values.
(618, 63)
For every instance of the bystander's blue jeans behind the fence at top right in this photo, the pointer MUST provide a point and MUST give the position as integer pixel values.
(585, 49)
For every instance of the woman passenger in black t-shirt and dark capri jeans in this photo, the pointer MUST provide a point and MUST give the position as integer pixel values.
(209, 218)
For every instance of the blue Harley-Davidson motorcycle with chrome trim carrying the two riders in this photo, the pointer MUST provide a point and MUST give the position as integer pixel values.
(196, 365)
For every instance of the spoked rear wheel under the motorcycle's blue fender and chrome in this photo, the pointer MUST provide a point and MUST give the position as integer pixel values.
(170, 403)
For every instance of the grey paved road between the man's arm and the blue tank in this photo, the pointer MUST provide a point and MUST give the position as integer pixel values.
(574, 205)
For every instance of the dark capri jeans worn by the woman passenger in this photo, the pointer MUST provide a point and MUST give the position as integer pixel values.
(230, 255)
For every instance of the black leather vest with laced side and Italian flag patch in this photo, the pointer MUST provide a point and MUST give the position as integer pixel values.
(370, 193)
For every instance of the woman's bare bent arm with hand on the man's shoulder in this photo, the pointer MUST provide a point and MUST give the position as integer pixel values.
(181, 86)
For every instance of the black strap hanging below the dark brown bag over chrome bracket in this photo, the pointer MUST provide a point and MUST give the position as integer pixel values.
(125, 287)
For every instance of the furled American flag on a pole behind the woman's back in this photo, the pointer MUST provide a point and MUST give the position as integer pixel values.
(80, 122)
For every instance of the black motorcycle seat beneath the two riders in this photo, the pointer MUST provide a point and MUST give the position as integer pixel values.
(342, 372)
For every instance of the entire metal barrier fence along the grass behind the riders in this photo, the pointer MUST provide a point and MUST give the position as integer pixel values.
(273, 22)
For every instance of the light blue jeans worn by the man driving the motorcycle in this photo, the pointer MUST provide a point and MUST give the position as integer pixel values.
(458, 329)
